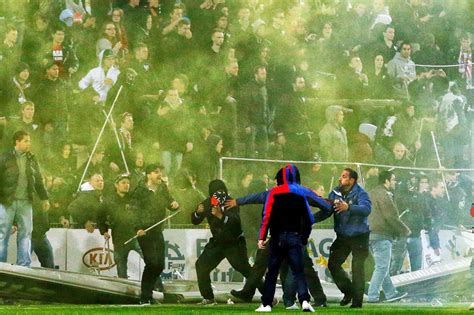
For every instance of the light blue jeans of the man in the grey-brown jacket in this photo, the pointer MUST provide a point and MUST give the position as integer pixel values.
(381, 248)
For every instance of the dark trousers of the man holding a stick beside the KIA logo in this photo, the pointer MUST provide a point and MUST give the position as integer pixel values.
(153, 249)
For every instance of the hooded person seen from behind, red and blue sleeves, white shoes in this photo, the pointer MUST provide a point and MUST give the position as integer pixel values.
(287, 215)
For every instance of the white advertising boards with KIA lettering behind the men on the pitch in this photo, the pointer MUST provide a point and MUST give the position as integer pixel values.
(80, 251)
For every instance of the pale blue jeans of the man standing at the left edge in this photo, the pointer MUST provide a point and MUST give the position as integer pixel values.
(21, 213)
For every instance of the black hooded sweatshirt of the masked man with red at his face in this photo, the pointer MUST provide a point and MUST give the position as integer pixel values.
(228, 228)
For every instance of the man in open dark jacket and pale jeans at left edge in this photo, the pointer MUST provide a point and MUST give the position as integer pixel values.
(20, 177)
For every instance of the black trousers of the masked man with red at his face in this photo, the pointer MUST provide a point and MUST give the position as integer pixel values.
(213, 254)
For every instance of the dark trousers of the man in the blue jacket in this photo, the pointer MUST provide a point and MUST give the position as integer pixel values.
(340, 250)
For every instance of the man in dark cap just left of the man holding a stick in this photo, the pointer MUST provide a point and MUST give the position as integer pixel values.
(116, 213)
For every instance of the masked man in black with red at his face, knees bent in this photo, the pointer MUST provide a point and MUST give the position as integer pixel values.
(227, 238)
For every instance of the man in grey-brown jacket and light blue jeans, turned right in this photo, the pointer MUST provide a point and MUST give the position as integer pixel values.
(385, 226)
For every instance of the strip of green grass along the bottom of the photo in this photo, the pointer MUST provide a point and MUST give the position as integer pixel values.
(401, 308)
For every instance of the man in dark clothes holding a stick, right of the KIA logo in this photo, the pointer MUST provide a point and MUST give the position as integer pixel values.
(150, 201)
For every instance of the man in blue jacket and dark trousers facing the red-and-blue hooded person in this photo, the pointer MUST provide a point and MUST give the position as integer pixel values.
(351, 209)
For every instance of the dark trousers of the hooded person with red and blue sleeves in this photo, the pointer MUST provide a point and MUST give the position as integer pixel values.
(286, 245)
